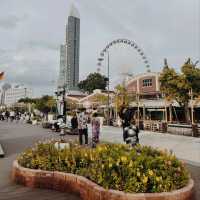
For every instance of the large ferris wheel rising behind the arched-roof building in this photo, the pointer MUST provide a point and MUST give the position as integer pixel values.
(128, 43)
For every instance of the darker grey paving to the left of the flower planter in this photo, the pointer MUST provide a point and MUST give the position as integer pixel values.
(14, 139)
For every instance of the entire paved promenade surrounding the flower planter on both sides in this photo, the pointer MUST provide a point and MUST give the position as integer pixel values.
(16, 137)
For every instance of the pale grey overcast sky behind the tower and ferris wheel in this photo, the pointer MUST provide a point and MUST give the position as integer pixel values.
(31, 32)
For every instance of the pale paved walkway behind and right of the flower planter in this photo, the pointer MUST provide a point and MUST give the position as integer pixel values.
(185, 148)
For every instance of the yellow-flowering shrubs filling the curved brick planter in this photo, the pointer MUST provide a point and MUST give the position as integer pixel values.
(112, 166)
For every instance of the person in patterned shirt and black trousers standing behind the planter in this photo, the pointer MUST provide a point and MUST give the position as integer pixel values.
(82, 126)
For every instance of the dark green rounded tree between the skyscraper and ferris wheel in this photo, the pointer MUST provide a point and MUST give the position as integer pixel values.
(92, 82)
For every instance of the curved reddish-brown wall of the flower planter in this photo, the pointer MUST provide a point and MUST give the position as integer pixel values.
(85, 188)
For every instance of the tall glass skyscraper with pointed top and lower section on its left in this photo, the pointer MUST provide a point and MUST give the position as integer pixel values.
(69, 52)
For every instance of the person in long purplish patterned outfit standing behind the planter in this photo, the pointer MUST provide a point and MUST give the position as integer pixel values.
(95, 129)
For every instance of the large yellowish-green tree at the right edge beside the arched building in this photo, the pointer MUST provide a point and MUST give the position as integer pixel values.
(178, 86)
